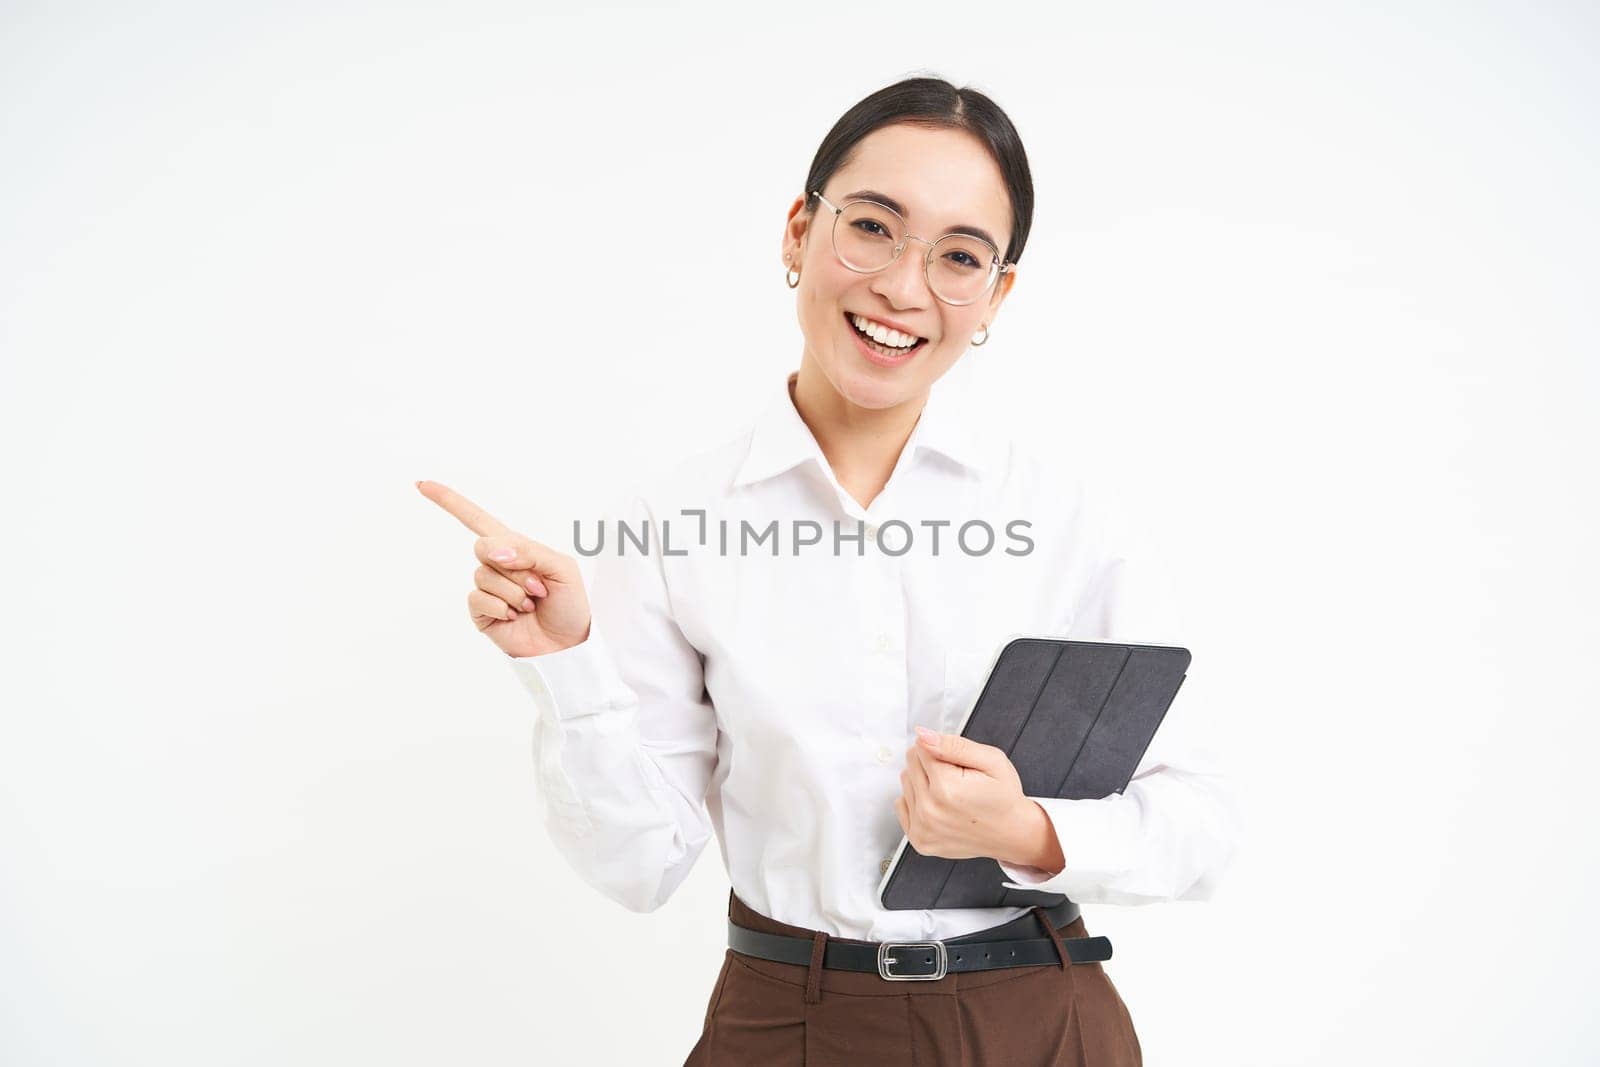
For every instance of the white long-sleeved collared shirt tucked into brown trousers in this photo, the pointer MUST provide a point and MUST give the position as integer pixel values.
(743, 679)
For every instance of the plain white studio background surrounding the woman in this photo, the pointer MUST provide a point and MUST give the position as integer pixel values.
(1316, 286)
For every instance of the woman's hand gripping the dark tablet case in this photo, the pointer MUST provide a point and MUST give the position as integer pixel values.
(962, 799)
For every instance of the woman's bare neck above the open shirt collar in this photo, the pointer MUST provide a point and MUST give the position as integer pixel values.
(862, 446)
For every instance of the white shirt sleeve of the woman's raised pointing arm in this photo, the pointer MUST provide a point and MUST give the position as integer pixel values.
(625, 737)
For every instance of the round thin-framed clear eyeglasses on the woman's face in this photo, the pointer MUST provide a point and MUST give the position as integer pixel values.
(868, 238)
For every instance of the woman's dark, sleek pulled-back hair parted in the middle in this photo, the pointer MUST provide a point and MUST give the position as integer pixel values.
(937, 105)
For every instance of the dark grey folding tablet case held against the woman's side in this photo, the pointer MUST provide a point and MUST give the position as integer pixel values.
(1076, 719)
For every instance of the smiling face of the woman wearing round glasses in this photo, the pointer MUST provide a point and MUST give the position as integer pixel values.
(943, 178)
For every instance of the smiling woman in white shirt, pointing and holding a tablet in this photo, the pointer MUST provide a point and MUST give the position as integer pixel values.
(788, 631)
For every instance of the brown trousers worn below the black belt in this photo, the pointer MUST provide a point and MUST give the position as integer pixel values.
(782, 1015)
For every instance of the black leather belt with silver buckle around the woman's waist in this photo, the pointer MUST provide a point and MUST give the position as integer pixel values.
(930, 961)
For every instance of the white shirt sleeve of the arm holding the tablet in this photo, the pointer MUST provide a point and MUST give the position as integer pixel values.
(1175, 829)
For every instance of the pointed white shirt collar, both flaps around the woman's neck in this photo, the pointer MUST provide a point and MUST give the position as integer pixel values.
(782, 439)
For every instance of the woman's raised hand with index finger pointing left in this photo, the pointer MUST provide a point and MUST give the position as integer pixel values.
(530, 602)
